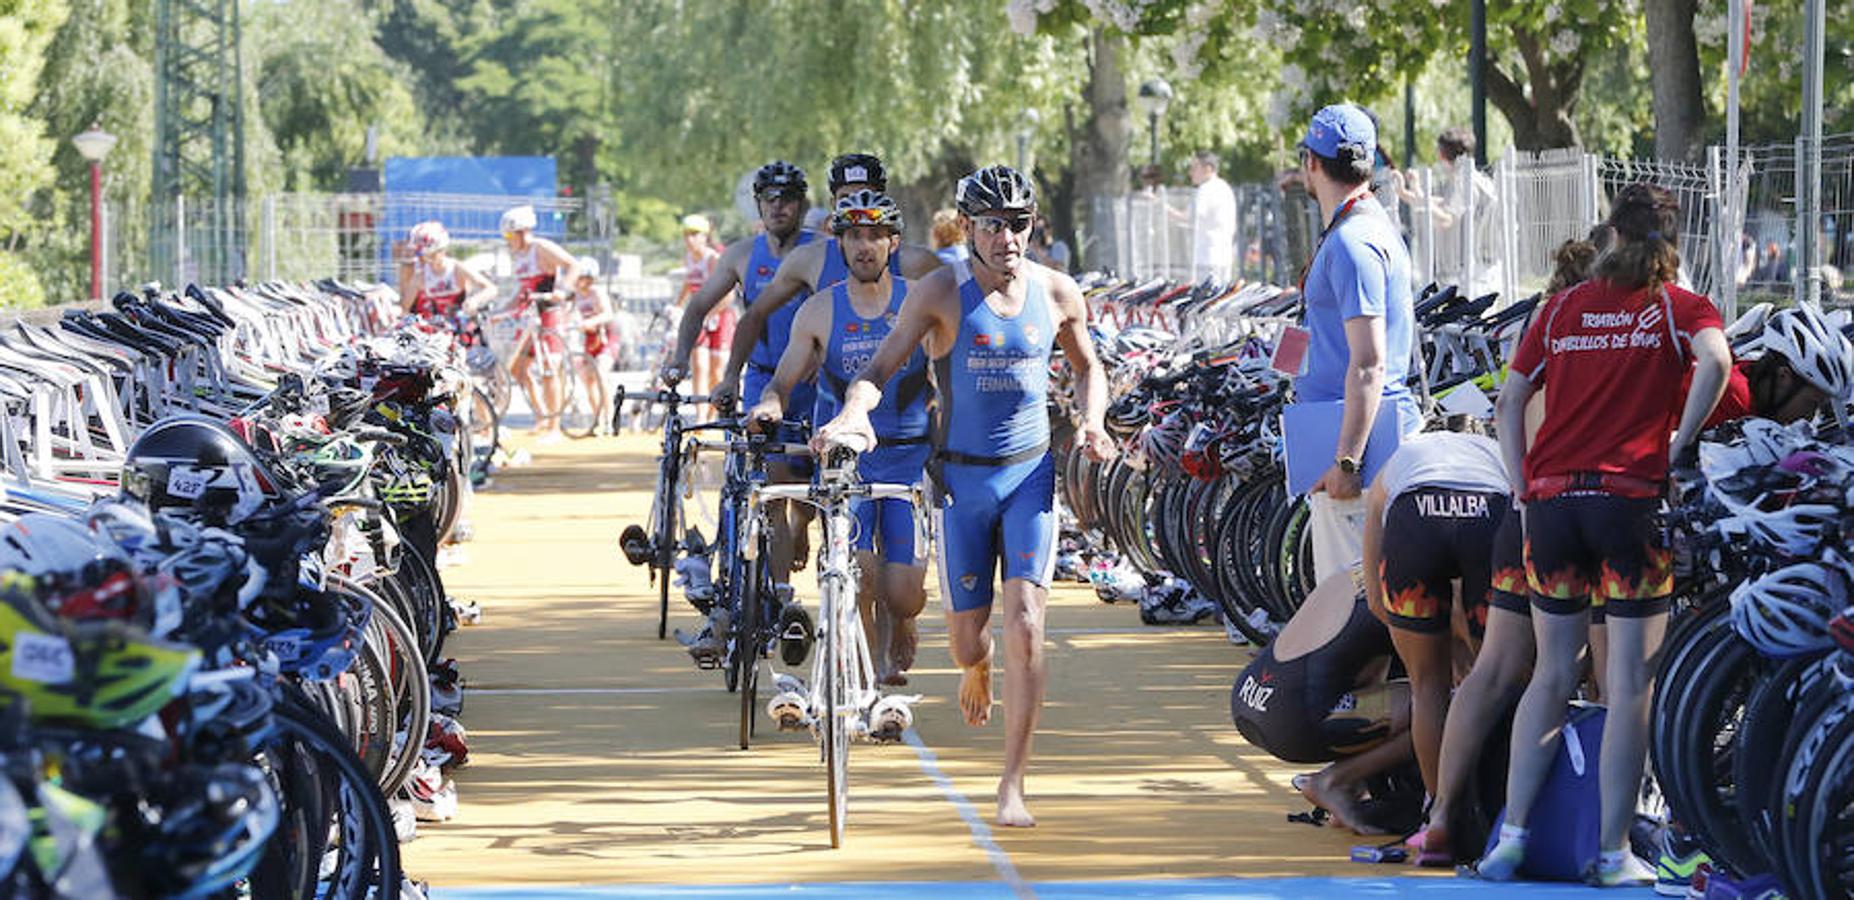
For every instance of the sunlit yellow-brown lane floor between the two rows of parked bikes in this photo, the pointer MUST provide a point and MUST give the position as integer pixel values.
(600, 756)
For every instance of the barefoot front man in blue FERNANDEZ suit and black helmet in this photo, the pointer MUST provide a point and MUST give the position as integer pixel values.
(991, 329)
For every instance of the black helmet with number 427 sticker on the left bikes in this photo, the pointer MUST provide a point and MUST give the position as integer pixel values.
(199, 465)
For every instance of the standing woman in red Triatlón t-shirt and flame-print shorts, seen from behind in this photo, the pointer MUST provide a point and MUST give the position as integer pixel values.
(1614, 354)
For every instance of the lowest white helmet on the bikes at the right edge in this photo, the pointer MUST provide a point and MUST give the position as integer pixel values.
(1786, 613)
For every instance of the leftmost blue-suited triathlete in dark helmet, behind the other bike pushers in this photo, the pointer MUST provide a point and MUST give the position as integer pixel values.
(780, 190)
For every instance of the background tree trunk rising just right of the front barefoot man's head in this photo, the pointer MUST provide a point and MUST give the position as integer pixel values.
(1100, 144)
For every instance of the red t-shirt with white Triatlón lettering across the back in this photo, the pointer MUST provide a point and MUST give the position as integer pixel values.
(1616, 363)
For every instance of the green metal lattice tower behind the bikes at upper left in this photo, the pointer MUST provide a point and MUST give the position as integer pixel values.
(199, 142)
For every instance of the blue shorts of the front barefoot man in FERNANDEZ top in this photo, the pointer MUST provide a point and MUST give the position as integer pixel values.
(995, 522)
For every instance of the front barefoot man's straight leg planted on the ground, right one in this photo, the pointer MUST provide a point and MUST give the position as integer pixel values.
(1026, 608)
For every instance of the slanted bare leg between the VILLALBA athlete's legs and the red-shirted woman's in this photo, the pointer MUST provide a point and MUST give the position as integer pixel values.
(1499, 675)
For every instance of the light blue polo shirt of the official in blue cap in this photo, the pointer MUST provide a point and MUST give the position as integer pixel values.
(1362, 270)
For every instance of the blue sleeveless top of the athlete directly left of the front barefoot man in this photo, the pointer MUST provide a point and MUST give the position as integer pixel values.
(854, 341)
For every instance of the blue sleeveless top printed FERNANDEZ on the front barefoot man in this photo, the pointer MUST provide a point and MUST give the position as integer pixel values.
(995, 383)
